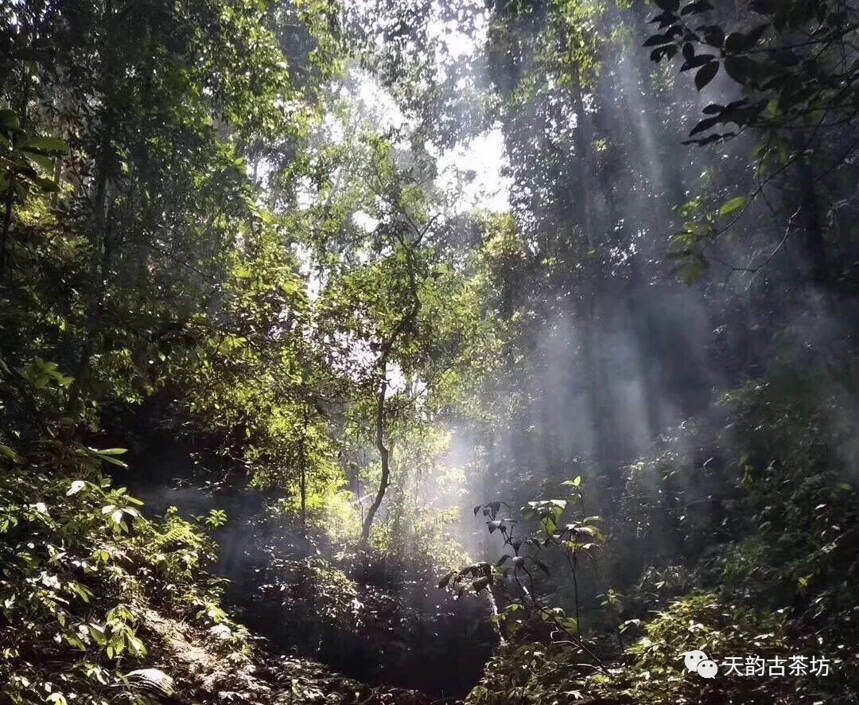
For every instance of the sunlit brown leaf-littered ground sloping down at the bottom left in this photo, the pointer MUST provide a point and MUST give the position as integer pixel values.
(202, 674)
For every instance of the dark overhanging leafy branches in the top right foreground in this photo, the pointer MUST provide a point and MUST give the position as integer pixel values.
(794, 72)
